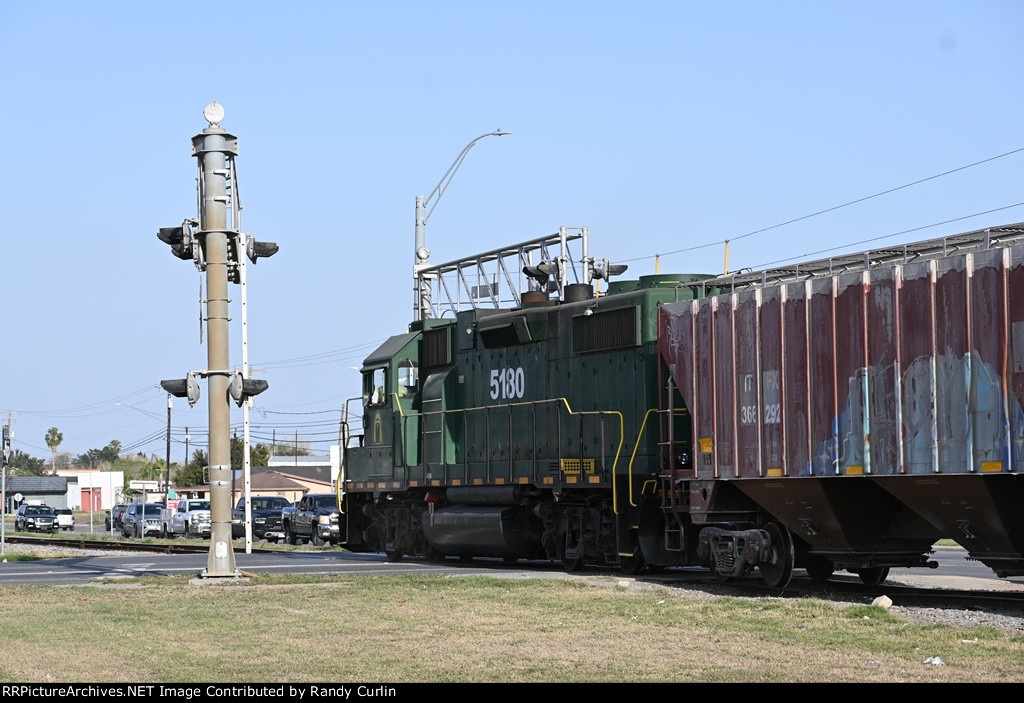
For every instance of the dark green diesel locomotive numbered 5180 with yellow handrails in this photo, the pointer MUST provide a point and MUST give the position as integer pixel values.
(521, 422)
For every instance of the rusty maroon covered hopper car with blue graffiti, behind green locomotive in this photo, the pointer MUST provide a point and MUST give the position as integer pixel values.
(847, 414)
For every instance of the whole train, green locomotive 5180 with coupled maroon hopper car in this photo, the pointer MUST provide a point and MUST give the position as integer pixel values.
(838, 415)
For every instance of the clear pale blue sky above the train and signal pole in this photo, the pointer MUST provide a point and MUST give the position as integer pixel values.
(660, 125)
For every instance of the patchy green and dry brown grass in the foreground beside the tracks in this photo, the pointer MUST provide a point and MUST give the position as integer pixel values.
(437, 629)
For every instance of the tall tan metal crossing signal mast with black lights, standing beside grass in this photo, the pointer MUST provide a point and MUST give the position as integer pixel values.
(218, 246)
